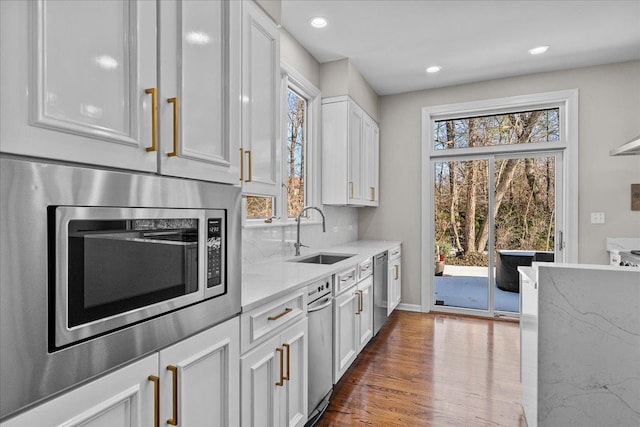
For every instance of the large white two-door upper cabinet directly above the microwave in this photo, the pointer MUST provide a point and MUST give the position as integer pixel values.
(82, 82)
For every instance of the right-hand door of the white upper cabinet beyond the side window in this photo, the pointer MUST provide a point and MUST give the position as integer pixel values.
(370, 162)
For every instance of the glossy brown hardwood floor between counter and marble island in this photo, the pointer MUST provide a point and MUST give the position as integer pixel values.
(433, 370)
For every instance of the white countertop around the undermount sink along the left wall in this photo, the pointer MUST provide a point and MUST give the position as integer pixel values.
(266, 281)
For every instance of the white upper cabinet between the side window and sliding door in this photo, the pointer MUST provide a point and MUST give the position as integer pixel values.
(349, 154)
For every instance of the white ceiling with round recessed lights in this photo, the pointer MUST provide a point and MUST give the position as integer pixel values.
(392, 42)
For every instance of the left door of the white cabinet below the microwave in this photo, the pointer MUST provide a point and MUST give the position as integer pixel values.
(122, 398)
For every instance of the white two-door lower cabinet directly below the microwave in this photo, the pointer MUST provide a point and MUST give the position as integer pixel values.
(205, 393)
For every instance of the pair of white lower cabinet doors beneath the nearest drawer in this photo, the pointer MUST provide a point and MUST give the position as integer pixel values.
(274, 380)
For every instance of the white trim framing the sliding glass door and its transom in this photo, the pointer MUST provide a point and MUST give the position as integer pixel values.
(567, 101)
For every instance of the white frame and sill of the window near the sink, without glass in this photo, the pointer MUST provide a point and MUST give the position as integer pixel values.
(290, 78)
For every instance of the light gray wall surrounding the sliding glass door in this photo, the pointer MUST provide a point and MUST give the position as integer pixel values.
(609, 115)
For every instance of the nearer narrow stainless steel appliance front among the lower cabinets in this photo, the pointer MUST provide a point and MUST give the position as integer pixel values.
(320, 315)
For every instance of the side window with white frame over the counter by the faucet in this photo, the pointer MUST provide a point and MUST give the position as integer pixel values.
(300, 171)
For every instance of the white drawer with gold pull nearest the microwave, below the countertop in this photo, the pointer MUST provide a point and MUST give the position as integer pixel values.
(262, 322)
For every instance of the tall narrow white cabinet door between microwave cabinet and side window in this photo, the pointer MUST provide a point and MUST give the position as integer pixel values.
(261, 115)
